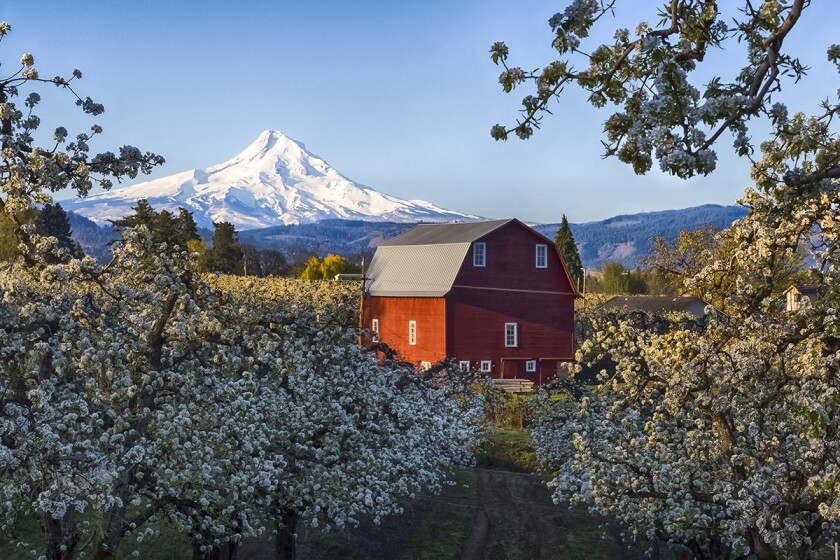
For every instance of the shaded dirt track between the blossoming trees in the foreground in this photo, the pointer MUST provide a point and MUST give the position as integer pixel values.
(500, 516)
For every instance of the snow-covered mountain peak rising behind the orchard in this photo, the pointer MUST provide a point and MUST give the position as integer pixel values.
(275, 181)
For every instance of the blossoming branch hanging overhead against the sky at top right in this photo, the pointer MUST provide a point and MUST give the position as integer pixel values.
(663, 113)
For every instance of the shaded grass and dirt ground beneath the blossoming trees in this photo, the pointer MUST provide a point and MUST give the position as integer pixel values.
(500, 510)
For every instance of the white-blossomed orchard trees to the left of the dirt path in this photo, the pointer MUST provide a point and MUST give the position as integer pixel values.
(139, 391)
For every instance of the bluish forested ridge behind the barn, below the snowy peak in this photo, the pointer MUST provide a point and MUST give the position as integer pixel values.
(624, 238)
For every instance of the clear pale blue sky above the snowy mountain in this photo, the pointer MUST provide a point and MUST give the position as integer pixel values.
(396, 95)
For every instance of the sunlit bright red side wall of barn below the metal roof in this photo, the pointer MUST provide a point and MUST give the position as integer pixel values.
(394, 313)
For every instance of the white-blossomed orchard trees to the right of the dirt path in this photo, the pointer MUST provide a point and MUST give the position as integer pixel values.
(724, 438)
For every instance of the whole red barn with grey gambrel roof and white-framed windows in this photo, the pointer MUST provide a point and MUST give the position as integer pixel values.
(494, 296)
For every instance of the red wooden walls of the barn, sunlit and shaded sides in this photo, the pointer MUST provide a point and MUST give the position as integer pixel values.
(468, 323)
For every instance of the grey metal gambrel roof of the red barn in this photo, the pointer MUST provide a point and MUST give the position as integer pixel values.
(424, 261)
